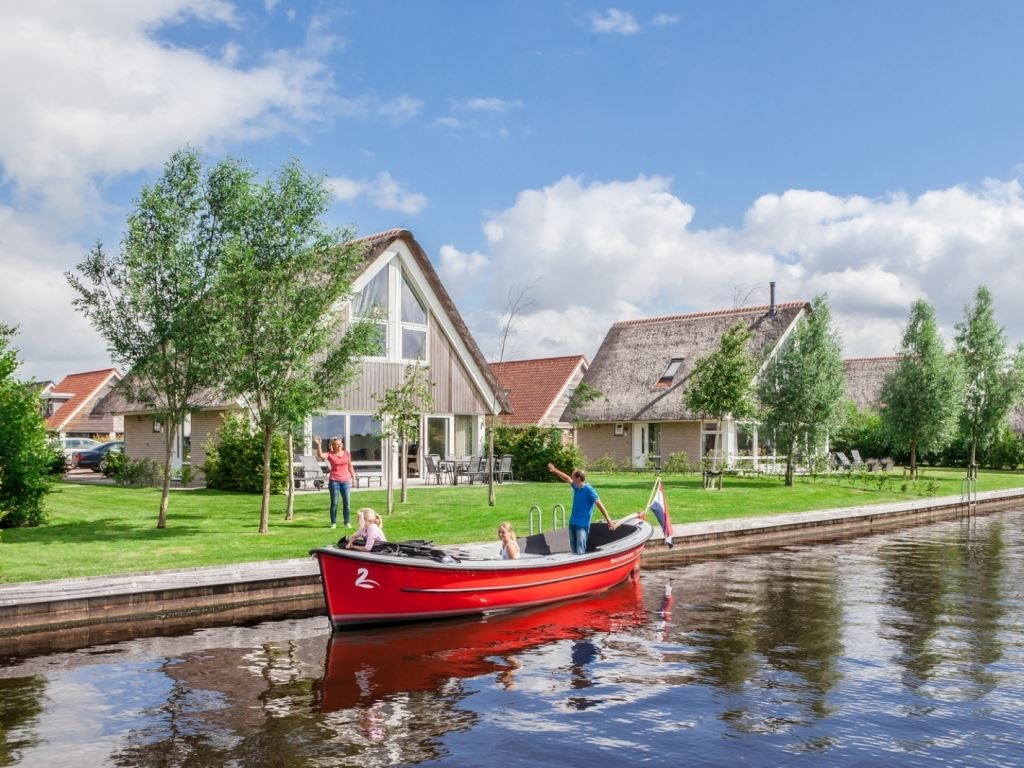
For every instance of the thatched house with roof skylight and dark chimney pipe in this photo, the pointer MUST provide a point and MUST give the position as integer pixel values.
(643, 370)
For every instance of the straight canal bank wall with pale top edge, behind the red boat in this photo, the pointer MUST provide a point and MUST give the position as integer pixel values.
(278, 588)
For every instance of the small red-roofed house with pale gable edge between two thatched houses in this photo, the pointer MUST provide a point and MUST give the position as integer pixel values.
(539, 391)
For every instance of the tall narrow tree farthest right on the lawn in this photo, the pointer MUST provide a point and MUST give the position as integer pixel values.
(994, 381)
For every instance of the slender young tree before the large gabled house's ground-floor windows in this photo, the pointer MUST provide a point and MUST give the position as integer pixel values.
(399, 411)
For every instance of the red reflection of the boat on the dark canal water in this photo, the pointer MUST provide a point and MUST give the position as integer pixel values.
(368, 666)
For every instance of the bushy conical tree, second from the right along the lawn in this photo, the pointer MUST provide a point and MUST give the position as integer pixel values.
(923, 396)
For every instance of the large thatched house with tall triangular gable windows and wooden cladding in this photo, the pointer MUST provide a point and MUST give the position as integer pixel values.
(419, 323)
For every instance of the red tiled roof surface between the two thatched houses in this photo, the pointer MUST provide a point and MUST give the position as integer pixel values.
(535, 387)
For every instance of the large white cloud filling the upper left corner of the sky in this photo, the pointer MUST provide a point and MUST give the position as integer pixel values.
(98, 95)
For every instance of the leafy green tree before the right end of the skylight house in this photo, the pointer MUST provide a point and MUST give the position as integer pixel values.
(801, 390)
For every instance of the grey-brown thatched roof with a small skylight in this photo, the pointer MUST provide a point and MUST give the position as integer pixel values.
(635, 355)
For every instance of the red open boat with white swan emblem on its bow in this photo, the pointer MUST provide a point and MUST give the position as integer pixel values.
(406, 582)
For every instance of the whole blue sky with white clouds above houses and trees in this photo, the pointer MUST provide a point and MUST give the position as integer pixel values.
(618, 161)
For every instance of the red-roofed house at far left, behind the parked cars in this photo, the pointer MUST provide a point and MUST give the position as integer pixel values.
(70, 410)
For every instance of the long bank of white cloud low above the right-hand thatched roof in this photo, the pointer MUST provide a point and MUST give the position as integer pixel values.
(606, 252)
